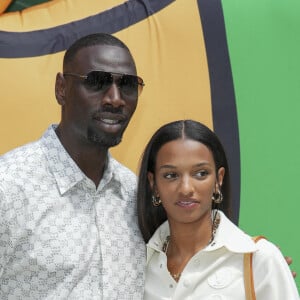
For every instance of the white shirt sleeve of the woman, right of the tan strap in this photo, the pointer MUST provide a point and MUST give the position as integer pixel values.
(272, 276)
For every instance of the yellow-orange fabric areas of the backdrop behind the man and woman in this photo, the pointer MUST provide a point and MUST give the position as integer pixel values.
(164, 55)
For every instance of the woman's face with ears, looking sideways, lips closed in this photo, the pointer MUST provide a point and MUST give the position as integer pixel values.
(185, 180)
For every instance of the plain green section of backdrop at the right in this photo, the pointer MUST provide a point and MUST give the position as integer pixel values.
(264, 46)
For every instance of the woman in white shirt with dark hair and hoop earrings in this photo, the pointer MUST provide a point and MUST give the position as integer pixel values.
(194, 250)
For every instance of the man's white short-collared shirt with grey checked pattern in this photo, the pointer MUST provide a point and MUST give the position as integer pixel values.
(60, 236)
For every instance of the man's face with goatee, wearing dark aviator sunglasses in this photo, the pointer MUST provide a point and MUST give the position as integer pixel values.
(92, 114)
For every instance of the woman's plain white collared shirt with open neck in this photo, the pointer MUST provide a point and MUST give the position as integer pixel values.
(216, 272)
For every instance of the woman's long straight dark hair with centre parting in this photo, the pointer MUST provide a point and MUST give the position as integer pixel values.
(150, 217)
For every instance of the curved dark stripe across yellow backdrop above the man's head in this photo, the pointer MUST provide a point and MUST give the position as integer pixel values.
(59, 38)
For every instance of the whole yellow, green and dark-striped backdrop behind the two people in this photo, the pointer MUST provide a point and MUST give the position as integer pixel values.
(233, 65)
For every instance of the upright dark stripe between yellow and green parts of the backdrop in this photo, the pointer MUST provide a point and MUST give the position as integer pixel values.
(222, 91)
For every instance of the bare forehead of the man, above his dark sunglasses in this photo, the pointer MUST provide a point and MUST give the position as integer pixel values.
(103, 57)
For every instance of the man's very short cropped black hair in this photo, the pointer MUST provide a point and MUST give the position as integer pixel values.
(92, 40)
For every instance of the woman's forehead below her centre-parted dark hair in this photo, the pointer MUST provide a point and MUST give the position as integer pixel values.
(183, 152)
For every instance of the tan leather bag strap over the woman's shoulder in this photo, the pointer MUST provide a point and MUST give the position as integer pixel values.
(248, 272)
